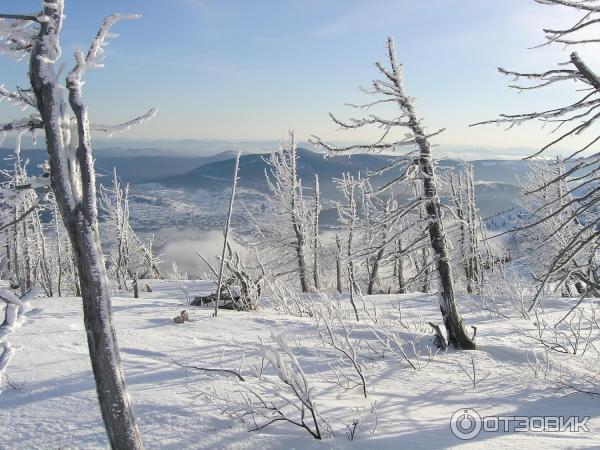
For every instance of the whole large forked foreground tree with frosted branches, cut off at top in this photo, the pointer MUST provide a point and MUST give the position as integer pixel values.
(67, 126)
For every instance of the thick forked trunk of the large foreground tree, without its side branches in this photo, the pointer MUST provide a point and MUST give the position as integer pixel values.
(73, 183)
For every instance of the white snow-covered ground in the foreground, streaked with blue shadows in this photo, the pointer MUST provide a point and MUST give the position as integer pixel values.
(53, 404)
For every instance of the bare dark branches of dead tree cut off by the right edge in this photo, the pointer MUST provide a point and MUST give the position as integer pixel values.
(579, 199)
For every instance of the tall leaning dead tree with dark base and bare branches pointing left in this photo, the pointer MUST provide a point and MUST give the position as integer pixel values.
(420, 166)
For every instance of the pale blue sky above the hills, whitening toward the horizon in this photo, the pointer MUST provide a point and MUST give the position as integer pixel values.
(252, 69)
